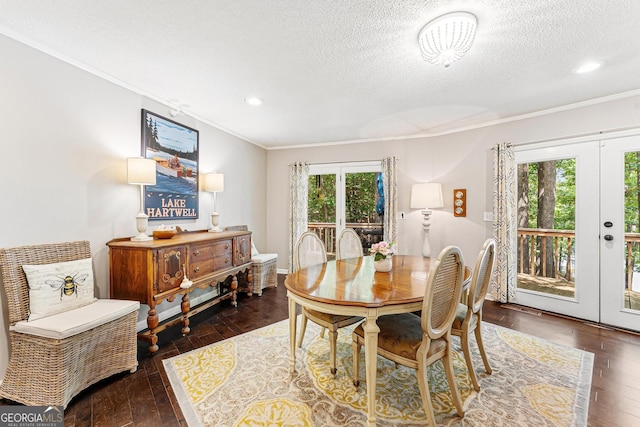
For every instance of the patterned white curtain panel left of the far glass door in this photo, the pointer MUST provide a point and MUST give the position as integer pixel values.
(298, 195)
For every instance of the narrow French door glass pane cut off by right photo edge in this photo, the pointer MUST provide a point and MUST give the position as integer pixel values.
(632, 228)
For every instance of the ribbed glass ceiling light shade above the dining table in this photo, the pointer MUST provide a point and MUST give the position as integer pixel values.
(447, 38)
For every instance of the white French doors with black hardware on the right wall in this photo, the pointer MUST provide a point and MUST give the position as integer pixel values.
(578, 247)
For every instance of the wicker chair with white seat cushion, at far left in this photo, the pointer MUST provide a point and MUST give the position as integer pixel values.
(56, 357)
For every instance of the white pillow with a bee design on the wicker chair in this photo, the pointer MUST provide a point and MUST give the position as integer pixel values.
(54, 288)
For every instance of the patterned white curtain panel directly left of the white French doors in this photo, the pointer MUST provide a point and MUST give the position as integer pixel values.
(505, 230)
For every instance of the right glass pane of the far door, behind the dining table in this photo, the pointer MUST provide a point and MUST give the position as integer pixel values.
(364, 206)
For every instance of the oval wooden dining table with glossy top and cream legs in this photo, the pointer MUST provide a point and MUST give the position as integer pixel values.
(352, 287)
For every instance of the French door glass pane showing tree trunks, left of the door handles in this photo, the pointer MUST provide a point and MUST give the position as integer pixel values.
(546, 227)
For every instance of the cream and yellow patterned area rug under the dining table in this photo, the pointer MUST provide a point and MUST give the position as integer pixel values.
(245, 381)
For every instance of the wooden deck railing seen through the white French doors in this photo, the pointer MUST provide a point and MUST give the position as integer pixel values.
(563, 252)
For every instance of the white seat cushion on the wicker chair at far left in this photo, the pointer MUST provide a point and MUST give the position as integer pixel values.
(77, 320)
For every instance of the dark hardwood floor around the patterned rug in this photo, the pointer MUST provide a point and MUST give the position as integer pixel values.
(145, 397)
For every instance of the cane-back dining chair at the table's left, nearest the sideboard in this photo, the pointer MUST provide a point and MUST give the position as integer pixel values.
(310, 251)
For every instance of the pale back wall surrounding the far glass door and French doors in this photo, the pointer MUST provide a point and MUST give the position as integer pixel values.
(460, 160)
